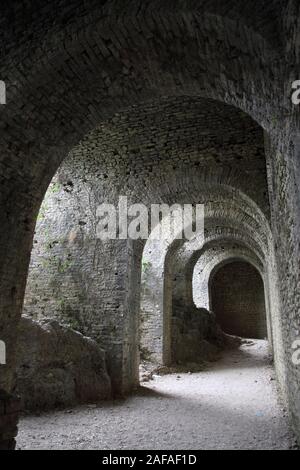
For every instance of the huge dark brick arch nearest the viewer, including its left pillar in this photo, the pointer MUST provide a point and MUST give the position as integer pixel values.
(33, 143)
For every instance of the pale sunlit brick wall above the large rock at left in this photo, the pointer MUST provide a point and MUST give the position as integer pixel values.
(74, 277)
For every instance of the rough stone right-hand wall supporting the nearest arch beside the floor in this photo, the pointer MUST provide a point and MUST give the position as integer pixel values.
(283, 158)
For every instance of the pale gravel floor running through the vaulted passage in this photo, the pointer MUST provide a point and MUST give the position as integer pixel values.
(232, 405)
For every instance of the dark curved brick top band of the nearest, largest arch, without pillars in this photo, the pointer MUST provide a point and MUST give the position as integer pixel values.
(57, 72)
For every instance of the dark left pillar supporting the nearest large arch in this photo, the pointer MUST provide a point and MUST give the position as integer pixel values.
(16, 233)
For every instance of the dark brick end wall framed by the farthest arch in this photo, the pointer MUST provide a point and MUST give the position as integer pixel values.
(237, 298)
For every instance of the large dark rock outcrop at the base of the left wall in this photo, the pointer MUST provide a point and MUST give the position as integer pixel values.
(58, 367)
